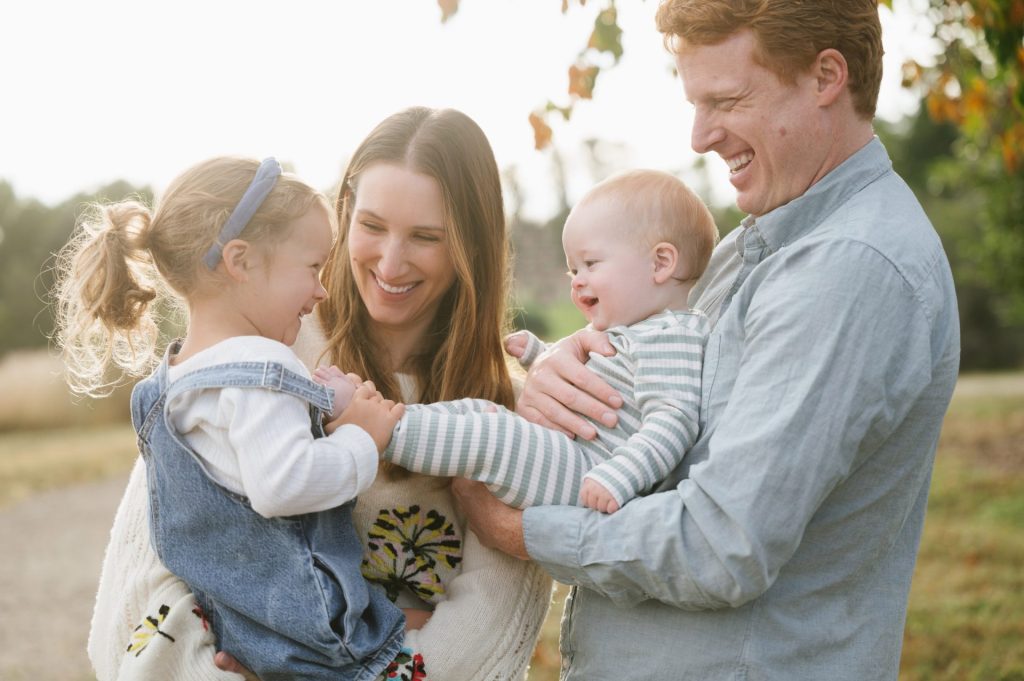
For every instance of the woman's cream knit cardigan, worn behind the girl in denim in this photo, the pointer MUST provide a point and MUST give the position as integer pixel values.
(484, 630)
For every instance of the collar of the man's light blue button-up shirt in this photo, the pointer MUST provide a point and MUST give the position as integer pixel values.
(793, 221)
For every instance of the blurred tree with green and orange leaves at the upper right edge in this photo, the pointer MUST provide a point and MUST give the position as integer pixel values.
(976, 87)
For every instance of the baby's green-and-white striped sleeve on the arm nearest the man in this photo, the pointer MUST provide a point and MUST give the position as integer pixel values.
(668, 394)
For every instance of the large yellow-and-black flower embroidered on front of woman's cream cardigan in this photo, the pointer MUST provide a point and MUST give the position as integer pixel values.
(409, 549)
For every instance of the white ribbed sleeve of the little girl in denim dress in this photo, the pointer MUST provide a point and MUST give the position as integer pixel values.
(286, 472)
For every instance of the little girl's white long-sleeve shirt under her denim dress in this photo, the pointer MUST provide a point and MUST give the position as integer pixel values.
(258, 443)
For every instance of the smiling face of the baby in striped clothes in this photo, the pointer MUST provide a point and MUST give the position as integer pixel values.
(613, 272)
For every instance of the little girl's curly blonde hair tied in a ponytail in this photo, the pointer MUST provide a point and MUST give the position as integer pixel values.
(125, 258)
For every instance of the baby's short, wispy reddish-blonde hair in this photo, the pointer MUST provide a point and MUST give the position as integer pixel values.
(662, 209)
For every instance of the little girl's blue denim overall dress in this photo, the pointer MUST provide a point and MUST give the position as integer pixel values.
(284, 595)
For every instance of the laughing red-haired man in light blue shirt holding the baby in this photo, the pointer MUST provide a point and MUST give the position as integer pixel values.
(783, 547)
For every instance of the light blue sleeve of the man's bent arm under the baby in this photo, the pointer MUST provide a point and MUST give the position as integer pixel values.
(835, 349)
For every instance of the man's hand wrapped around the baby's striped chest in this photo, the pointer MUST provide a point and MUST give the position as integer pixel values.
(560, 389)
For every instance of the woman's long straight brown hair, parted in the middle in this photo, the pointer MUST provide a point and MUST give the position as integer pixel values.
(461, 356)
